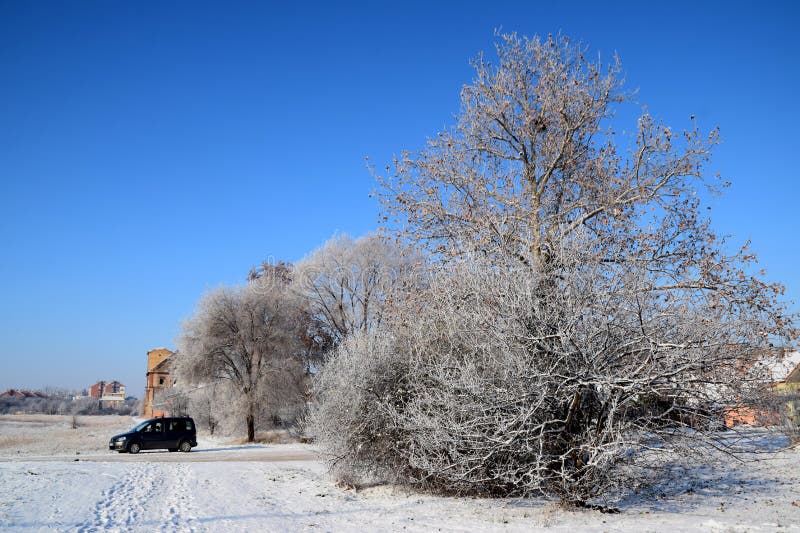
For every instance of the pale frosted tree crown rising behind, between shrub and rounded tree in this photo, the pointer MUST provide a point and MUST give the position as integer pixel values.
(349, 282)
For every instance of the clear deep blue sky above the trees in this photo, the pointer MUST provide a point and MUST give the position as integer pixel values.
(150, 151)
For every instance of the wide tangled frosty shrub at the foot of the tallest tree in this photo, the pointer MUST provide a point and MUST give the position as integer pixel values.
(497, 382)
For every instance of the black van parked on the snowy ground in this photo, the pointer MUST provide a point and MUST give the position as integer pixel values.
(172, 434)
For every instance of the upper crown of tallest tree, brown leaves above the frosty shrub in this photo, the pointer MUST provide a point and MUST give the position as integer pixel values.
(533, 163)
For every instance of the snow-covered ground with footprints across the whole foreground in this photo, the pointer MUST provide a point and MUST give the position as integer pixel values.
(60, 483)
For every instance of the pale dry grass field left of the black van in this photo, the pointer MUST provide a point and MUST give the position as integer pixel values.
(53, 434)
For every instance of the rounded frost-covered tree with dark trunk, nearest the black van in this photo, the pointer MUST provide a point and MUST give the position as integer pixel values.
(248, 337)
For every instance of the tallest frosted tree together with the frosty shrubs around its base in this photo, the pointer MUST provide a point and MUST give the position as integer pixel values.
(585, 322)
